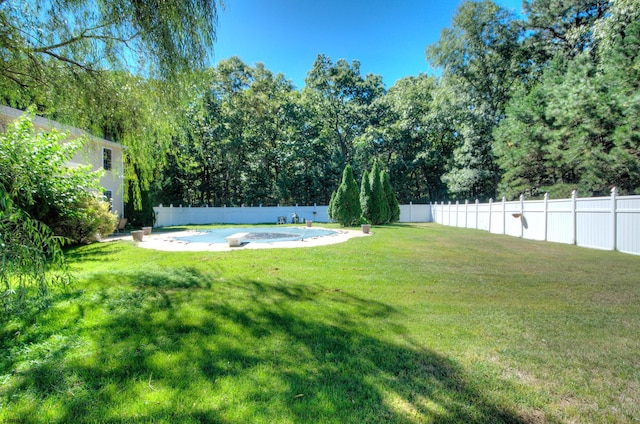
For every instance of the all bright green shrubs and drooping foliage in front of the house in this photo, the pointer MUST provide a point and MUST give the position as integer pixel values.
(43, 204)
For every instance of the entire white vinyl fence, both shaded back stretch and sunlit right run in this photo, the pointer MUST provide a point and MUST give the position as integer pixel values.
(609, 223)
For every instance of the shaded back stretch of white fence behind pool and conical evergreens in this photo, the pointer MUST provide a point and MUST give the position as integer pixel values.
(172, 215)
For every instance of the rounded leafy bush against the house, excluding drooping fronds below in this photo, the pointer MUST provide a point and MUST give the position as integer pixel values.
(36, 178)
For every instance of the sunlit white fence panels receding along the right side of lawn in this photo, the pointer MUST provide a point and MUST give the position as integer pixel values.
(609, 223)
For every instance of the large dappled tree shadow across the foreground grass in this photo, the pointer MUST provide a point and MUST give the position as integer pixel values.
(186, 347)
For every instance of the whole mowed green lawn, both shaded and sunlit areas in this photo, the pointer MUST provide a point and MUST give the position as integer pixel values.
(417, 323)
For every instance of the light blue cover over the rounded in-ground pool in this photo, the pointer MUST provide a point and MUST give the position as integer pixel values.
(257, 234)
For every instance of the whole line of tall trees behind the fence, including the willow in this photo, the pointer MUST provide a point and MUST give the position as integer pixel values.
(546, 101)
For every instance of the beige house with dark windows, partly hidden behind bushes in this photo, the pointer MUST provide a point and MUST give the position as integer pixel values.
(97, 152)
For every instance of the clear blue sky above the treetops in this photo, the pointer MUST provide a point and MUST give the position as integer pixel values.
(388, 37)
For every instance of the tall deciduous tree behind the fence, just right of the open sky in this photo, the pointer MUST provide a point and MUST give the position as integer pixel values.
(481, 59)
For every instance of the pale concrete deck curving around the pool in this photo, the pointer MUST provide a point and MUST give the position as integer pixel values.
(167, 241)
